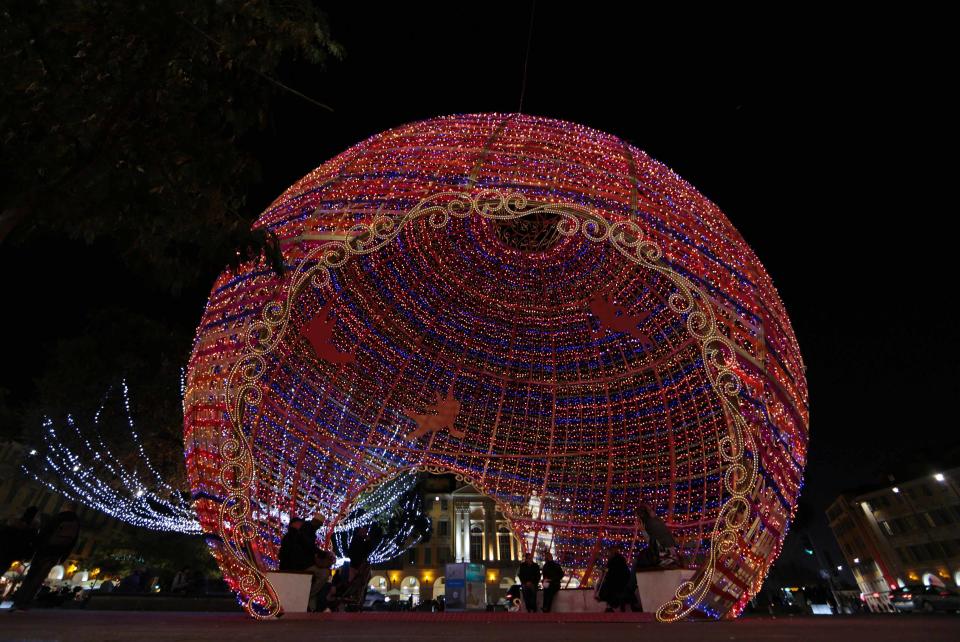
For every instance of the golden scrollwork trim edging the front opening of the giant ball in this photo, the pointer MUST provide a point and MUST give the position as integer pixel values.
(265, 334)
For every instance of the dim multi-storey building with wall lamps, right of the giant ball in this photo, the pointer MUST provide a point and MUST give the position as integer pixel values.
(905, 533)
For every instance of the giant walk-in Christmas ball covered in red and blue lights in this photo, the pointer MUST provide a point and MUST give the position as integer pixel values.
(531, 304)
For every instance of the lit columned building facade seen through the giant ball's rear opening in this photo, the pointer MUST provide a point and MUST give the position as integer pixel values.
(466, 526)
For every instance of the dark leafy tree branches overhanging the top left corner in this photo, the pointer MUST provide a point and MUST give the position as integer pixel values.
(126, 121)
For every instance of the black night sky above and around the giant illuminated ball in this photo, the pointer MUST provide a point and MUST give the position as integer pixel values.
(820, 137)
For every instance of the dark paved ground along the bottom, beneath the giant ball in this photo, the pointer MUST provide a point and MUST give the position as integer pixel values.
(104, 626)
